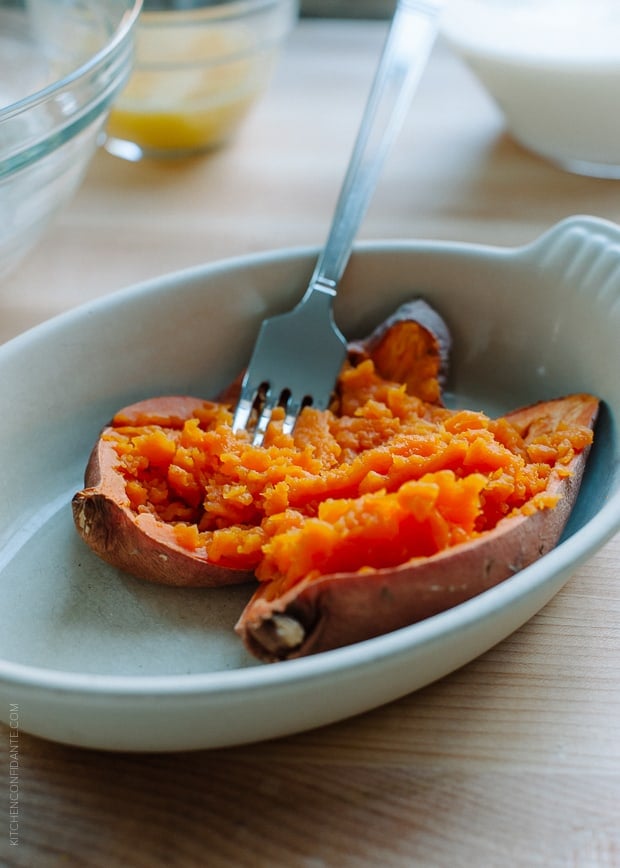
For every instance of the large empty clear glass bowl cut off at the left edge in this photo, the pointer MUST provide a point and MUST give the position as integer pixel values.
(62, 64)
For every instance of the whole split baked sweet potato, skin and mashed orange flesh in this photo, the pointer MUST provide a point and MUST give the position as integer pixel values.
(383, 510)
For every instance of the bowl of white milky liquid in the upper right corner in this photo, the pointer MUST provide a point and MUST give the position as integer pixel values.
(553, 68)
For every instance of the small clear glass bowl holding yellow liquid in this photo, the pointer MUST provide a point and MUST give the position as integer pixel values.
(200, 66)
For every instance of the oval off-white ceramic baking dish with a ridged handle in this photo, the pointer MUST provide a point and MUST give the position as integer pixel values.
(92, 657)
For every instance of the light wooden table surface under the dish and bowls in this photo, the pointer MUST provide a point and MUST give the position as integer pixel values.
(513, 760)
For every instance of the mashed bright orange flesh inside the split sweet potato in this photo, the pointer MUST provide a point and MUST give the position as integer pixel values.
(380, 478)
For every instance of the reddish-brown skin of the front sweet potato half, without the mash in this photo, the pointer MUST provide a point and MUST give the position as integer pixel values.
(344, 608)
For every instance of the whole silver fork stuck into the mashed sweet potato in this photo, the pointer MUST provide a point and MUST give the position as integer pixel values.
(298, 355)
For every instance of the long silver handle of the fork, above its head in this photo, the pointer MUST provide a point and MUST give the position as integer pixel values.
(407, 48)
